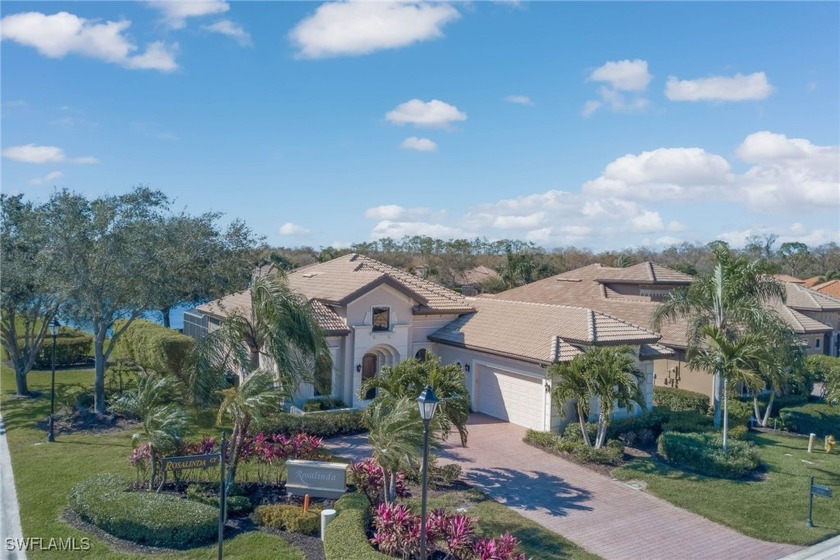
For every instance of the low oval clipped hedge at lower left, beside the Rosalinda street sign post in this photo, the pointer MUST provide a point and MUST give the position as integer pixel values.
(143, 517)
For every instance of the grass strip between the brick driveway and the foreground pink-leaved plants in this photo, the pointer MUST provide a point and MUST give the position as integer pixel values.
(495, 519)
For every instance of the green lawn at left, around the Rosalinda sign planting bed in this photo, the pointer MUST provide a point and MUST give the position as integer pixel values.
(45, 473)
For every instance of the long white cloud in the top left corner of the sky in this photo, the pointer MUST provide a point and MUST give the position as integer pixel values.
(57, 35)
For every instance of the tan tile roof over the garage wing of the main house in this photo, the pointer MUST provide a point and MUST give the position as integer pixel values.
(535, 331)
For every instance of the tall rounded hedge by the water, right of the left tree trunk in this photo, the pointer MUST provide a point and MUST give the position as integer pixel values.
(155, 347)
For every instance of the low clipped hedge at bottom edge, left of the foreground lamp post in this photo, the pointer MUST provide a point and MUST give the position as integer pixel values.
(346, 536)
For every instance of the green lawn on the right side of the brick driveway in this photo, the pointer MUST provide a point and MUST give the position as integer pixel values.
(773, 509)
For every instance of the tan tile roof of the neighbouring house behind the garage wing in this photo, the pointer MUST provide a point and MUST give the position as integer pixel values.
(583, 287)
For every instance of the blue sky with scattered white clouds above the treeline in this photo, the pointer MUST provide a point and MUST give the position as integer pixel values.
(601, 125)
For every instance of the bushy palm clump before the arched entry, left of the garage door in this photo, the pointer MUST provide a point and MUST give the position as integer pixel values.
(408, 379)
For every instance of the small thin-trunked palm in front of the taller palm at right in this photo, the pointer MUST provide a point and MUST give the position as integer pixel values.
(736, 358)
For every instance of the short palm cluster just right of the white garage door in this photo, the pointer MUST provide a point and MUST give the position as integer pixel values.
(607, 374)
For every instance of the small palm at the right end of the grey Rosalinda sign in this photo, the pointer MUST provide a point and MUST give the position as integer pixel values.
(396, 436)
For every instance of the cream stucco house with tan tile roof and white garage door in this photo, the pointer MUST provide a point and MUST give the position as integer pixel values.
(375, 315)
